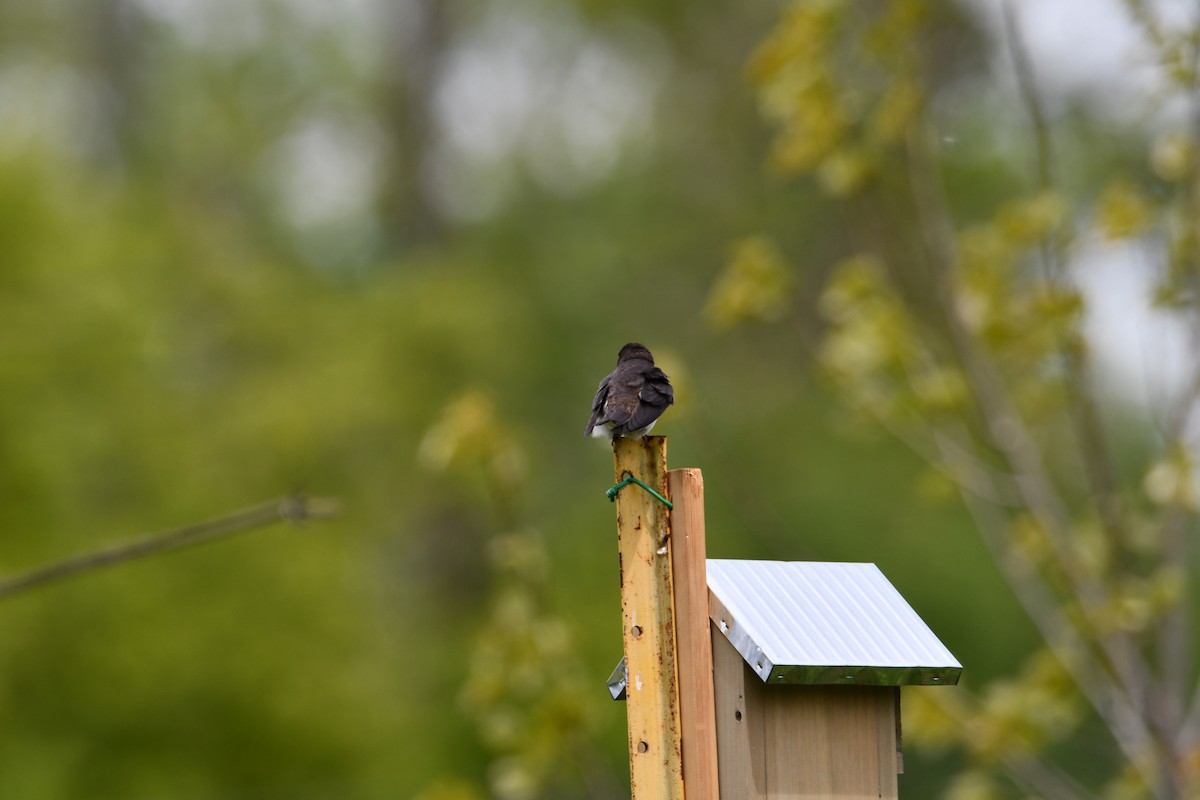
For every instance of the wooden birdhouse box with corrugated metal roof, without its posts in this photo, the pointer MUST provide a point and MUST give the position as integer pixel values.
(808, 663)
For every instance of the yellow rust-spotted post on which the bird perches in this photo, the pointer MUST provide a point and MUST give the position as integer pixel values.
(652, 694)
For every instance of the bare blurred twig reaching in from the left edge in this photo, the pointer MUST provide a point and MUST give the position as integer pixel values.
(293, 509)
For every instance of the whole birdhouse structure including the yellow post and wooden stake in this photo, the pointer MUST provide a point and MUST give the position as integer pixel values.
(754, 681)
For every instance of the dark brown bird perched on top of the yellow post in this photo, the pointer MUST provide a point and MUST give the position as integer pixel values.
(632, 398)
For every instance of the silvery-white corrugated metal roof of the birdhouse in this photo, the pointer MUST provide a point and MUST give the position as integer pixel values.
(825, 623)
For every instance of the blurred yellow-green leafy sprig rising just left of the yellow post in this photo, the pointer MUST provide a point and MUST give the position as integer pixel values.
(524, 690)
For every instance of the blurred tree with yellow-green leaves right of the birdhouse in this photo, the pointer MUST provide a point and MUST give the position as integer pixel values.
(957, 320)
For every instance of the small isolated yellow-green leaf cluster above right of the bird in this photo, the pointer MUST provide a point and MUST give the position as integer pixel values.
(755, 286)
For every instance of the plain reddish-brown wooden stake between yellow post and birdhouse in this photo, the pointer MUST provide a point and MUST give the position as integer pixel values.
(694, 649)
